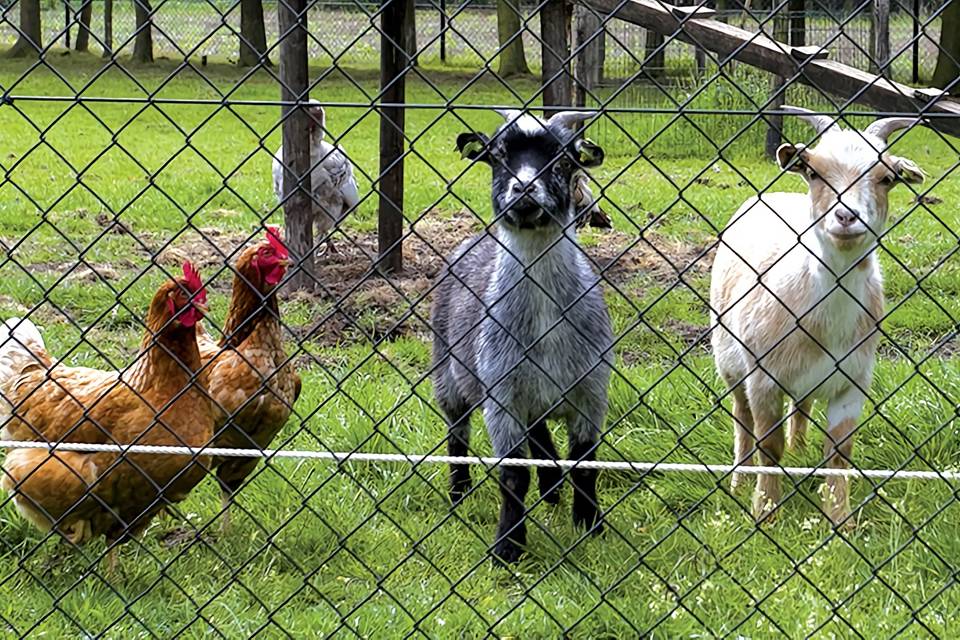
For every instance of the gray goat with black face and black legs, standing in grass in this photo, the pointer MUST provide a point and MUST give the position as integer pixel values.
(521, 326)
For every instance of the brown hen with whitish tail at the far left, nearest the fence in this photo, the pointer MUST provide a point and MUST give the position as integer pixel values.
(158, 400)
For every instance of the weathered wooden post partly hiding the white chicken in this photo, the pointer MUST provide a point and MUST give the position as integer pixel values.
(297, 200)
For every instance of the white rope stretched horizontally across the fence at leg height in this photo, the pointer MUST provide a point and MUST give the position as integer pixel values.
(338, 456)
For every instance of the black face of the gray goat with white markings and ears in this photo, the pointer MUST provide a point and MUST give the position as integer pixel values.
(534, 164)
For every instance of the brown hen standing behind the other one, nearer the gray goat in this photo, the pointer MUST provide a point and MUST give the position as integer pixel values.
(252, 382)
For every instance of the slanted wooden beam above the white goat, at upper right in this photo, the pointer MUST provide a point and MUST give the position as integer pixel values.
(759, 51)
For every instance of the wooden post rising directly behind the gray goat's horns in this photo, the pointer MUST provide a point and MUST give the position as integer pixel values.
(555, 19)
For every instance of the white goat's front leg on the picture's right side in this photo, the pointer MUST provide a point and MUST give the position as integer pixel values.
(843, 414)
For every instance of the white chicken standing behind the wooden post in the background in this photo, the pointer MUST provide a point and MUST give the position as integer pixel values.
(332, 184)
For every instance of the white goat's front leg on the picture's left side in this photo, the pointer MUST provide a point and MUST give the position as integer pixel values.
(767, 412)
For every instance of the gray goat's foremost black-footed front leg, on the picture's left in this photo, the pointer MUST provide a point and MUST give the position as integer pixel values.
(509, 439)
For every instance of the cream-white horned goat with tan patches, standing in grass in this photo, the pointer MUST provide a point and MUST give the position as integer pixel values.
(796, 295)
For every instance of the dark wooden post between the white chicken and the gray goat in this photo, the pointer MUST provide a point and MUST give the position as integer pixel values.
(393, 66)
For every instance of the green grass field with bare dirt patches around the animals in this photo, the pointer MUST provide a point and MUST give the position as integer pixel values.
(374, 550)
